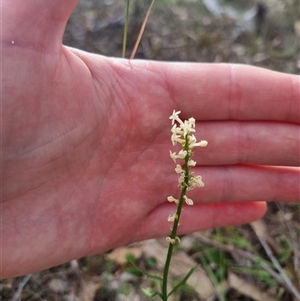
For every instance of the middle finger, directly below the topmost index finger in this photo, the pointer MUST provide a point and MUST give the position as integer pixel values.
(262, 143)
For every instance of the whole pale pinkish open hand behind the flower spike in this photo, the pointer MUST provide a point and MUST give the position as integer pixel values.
(86, 140)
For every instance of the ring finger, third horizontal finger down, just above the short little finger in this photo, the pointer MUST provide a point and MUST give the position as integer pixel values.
(245, 183)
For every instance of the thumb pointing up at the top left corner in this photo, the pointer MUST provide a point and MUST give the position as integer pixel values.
(34, 23)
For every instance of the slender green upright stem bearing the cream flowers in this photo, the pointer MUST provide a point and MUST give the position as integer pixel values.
(176, 223)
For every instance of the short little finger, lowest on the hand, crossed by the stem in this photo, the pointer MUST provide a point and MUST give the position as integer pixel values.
(199, 217)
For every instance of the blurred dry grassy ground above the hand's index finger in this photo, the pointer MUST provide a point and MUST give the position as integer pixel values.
(264, 33)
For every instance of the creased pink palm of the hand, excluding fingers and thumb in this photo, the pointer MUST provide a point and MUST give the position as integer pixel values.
(99, 150)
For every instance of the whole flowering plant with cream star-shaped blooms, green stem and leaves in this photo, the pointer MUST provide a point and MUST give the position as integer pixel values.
(183, 134)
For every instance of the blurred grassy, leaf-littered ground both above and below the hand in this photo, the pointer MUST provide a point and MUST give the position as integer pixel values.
(256, 262)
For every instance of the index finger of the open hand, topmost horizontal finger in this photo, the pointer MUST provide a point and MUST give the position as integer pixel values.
(225, 91)
